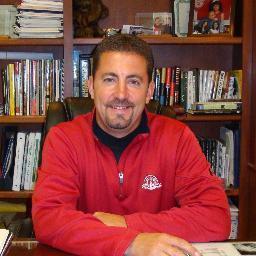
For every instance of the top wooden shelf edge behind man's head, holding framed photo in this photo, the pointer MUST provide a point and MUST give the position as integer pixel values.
(173, 40)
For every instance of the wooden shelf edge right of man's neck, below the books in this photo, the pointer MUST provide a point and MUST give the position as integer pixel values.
(208, 118)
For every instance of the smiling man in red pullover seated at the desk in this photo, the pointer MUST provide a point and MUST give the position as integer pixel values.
(122, 181)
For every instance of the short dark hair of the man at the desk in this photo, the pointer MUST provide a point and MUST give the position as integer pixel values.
(124, 43)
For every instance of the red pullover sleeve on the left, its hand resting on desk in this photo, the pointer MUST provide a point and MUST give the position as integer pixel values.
(57, 222)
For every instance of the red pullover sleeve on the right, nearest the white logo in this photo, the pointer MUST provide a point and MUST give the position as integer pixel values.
(202, 213)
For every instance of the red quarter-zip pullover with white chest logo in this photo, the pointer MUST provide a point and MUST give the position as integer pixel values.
(162, 183)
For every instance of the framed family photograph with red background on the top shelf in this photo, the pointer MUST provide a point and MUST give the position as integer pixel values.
(212, 17)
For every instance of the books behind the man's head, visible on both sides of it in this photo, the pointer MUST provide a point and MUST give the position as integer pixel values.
(177, 86)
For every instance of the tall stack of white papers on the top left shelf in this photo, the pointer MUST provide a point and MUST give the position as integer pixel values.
(40, 19)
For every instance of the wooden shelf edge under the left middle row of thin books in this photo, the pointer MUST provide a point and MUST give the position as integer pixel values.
(22, 119)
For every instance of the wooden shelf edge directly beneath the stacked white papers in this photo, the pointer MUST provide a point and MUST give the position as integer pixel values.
(30, 42)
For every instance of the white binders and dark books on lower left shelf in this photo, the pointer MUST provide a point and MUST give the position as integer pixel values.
(20, 160)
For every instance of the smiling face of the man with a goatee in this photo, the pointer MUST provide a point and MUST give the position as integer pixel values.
(120, 91)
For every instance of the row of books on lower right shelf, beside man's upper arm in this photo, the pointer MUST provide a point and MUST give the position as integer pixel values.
(224, 154)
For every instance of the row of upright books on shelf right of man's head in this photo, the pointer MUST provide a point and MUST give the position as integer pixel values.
(185, 87)
